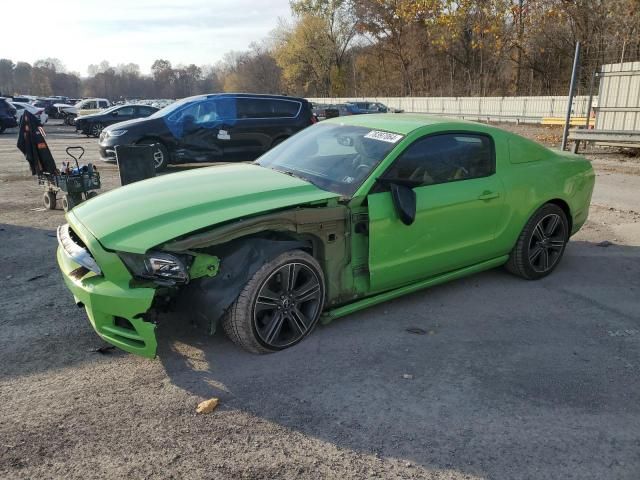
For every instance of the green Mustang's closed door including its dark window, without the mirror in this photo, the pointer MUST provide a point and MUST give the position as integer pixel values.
(459, 199)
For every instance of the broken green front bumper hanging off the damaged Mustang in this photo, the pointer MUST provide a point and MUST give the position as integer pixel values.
(116, 311)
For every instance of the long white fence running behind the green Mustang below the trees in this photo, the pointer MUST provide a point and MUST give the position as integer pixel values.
(512, 109)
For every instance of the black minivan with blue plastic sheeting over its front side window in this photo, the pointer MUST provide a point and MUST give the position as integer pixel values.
(208, 128)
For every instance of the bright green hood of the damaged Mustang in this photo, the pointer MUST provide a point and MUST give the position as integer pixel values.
(142, 215)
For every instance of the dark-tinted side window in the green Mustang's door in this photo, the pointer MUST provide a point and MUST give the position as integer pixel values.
(445, 158)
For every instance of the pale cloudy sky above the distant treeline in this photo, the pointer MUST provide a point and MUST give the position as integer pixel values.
(81, 32)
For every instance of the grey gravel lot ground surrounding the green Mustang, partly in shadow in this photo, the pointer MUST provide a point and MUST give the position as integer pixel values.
(514, 380)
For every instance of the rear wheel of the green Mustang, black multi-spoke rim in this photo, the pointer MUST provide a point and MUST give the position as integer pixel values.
(541, 244)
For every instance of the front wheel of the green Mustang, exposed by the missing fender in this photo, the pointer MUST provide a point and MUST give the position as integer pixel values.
(269, 316)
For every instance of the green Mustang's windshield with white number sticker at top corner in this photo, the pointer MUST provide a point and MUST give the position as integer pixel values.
(334, 157)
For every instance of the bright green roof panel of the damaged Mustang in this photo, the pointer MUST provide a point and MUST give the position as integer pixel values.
(402, 123)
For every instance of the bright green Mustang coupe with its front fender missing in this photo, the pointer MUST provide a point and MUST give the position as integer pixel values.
(344, 215)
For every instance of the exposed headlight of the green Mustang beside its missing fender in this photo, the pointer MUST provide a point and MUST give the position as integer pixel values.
(163, 268)
